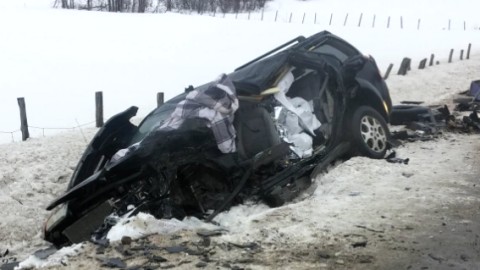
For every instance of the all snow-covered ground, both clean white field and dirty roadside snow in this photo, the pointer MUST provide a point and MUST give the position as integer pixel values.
(57, 59)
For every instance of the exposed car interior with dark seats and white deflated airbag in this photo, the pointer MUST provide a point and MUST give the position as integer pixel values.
(262, 125)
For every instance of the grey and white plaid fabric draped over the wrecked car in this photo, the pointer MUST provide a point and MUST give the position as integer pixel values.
(217, 104)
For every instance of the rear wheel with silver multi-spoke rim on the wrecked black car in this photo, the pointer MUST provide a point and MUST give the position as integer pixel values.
(369, 132)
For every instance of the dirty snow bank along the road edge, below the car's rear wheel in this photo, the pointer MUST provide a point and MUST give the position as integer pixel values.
(344, 197)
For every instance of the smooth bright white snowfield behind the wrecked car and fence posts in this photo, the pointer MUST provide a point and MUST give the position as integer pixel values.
(58, 59)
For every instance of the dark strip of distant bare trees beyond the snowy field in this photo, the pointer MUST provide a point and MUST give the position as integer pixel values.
(142, 6)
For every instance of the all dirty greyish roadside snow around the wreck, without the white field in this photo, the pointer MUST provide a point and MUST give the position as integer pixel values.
(359, 197)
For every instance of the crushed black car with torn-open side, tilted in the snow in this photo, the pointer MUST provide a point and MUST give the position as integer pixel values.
(261, 133)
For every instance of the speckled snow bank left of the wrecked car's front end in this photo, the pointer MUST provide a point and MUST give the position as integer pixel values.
(32, 174)
